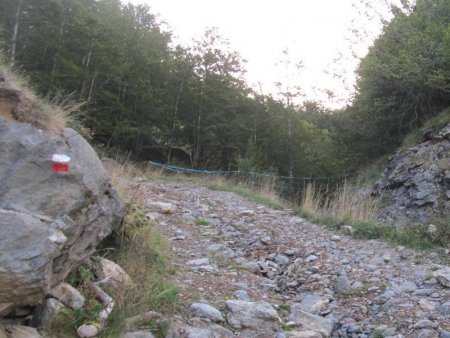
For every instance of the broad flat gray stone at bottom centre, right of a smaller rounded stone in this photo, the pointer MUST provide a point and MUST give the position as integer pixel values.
(252, 315)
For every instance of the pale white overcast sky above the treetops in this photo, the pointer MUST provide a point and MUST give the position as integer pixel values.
(315, 32)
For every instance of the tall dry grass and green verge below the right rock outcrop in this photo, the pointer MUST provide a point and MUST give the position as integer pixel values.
(350, 205)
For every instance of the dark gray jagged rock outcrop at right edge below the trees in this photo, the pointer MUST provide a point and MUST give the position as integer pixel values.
(416, 182)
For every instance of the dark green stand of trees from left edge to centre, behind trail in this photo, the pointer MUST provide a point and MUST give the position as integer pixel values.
(156, 101)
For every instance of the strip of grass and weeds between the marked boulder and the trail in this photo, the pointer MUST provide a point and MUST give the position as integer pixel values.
(143, 252)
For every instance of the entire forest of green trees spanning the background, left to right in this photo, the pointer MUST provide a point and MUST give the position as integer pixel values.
(168, 103)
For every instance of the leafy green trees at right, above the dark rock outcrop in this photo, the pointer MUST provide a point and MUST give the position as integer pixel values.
(402, 82)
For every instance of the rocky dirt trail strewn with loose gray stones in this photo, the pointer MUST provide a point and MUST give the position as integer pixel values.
(247, 270)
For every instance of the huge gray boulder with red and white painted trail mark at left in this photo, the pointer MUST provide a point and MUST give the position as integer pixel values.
(49, 221)
